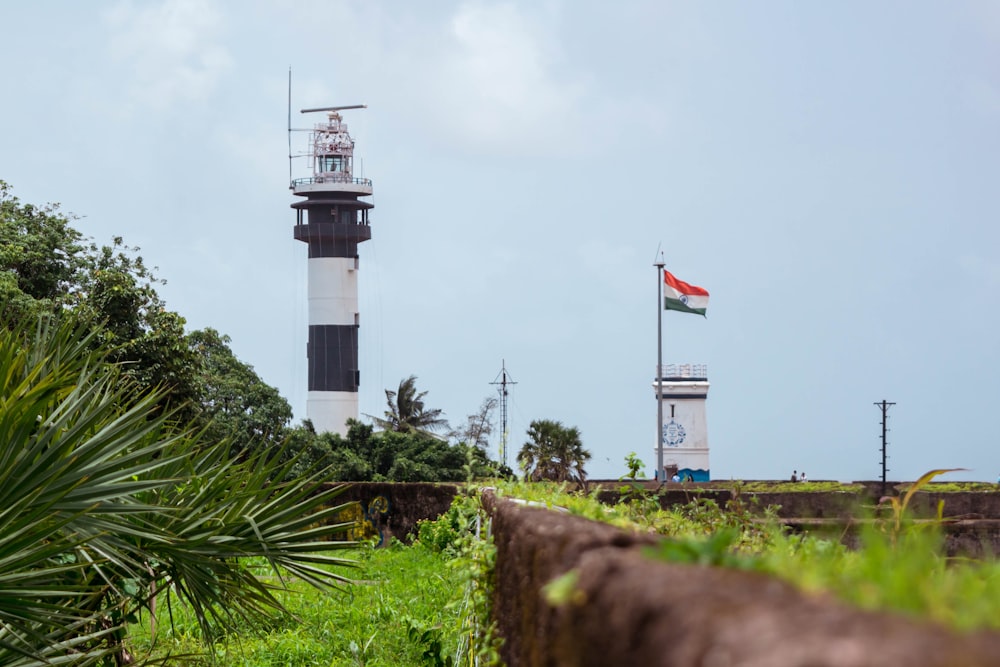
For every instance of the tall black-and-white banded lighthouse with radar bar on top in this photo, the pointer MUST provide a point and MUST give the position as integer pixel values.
(332, 219)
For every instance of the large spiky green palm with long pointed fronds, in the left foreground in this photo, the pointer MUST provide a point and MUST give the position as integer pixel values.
(108, 506)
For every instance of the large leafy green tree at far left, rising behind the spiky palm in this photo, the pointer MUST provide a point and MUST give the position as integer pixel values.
(48, 267)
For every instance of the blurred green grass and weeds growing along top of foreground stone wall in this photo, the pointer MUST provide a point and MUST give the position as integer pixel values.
(899, 566)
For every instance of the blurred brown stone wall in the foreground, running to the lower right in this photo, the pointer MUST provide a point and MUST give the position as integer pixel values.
(633, 610)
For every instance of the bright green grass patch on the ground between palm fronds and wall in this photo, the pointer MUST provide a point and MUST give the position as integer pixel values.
(368, 624)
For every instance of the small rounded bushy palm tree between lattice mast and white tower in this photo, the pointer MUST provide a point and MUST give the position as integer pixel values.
(553, 452)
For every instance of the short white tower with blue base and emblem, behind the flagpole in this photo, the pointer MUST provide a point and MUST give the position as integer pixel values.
(683, 433)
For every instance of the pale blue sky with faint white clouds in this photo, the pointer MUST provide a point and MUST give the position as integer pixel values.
(830, 172)
